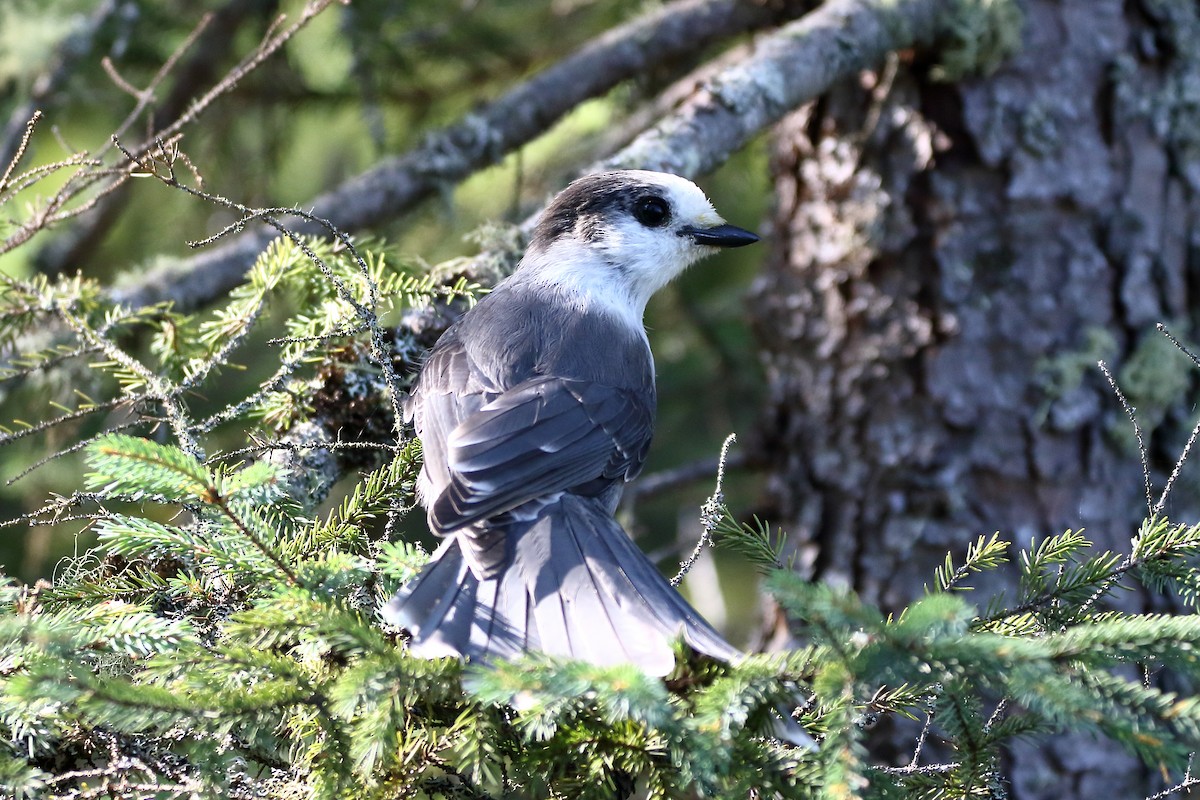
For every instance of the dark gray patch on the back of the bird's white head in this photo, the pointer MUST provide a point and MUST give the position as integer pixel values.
(584, 207)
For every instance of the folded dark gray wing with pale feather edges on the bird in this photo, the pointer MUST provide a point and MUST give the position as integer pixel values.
(544, 436)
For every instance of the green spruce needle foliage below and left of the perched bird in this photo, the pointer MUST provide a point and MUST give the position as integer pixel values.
(223, 637)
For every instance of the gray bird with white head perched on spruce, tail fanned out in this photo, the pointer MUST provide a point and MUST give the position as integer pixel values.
(533, 411)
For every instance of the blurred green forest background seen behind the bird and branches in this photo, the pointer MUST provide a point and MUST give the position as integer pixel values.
(359, 83)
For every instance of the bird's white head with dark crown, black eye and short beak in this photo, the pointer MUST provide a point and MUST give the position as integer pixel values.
(627, 233)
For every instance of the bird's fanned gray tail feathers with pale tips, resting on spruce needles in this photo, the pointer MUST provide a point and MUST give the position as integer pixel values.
(574, 586)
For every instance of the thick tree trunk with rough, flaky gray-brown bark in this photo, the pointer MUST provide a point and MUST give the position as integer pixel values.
(952, 261)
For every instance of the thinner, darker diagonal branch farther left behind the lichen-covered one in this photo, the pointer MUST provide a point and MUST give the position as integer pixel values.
(478, 141)
